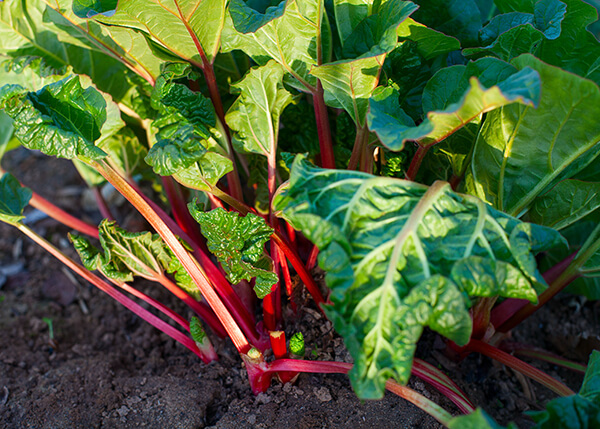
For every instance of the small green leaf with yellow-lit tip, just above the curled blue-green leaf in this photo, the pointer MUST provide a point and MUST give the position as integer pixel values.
(430, 43)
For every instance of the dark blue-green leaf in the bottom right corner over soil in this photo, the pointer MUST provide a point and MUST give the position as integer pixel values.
(581, 411)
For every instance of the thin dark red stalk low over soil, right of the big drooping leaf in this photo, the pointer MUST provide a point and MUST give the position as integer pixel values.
(520, 366)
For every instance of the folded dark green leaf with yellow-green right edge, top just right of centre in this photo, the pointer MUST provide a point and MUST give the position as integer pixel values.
(376, 34)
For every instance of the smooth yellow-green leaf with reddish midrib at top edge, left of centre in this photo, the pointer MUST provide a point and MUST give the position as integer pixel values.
(176, 25)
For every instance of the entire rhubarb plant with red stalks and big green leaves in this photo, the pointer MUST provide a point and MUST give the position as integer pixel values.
(439, 160)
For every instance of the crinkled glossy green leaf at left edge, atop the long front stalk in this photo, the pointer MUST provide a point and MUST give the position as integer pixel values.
(62, 119)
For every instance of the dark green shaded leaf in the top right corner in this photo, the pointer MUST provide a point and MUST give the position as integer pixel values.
(576, 50)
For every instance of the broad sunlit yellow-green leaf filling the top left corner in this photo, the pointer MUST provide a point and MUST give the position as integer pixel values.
(32, 29)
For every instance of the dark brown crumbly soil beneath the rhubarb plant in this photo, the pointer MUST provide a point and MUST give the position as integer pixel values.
(105, 368)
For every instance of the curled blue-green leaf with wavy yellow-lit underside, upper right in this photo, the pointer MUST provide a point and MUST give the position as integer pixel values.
(453, 97)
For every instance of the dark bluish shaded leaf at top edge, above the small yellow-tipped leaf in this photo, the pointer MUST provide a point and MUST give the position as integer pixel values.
(458, 18)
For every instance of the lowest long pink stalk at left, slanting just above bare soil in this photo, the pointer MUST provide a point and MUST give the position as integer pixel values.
(115, 294)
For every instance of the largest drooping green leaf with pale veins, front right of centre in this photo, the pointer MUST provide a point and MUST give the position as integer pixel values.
(400, 256)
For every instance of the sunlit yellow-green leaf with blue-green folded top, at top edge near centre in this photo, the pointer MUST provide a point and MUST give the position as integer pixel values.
(286, 33)
